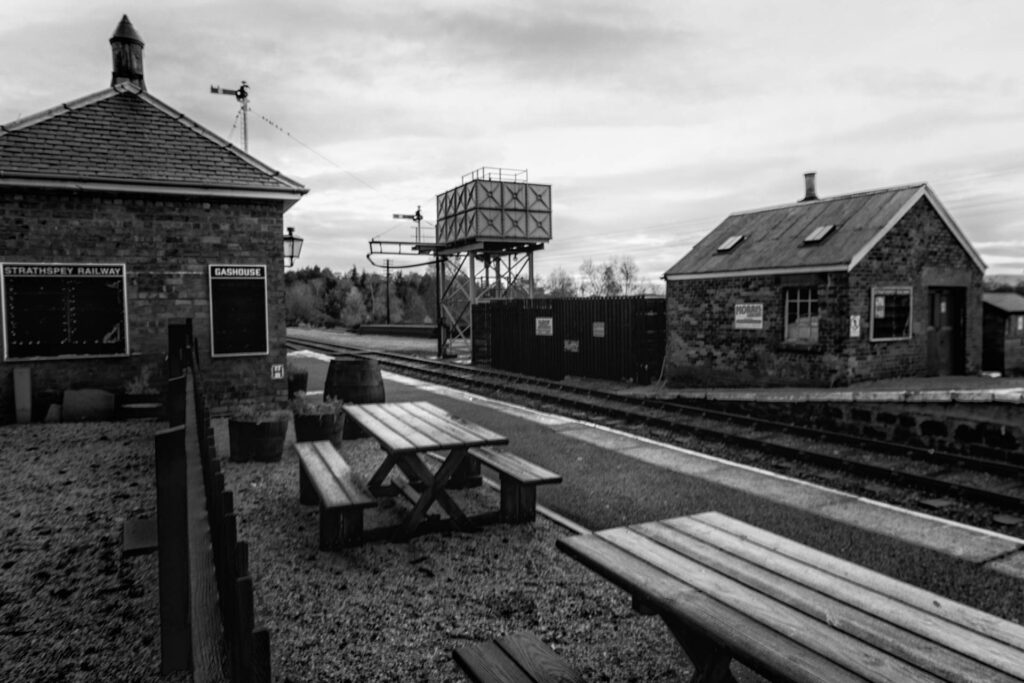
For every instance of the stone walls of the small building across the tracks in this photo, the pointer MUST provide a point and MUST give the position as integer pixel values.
(705, 350)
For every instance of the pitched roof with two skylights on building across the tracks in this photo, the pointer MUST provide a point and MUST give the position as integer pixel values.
(776, 240)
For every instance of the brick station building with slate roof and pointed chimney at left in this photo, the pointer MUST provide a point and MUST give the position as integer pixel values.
(120, 216)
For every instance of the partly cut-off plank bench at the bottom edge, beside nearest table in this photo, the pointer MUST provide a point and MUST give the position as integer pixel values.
(520, 658)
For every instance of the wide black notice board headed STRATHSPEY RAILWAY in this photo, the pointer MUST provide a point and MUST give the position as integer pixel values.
(58, 295)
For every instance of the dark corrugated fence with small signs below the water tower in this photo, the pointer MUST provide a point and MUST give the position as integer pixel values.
(616, 338)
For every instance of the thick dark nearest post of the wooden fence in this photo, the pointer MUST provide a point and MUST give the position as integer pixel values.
(173, 552)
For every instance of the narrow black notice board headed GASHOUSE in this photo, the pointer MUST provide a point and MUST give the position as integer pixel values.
(235, 313)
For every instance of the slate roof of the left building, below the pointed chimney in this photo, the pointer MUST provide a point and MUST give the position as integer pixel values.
(124, 140)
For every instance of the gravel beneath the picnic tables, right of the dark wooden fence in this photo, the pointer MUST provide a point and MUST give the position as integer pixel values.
(395, 612)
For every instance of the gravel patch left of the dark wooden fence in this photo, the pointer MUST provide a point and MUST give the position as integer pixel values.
(72, 609)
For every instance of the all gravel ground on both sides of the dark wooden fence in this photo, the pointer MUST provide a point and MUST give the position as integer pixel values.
(72, 609)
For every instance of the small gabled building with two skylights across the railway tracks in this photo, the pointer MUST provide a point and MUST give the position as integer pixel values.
(827, 292)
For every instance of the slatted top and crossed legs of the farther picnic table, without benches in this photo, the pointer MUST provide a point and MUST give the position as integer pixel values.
(408, 433)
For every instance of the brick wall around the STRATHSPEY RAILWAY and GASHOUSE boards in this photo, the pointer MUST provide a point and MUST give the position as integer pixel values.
(166, 244)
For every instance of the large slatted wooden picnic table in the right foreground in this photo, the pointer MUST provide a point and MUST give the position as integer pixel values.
(732, 591)
